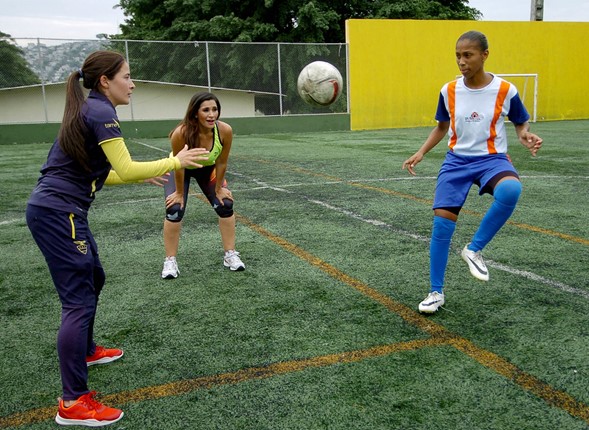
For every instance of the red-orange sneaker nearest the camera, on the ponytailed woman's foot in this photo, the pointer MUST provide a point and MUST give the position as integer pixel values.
(86, 411)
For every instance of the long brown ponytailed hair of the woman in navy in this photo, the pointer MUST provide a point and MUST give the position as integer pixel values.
(73, 130)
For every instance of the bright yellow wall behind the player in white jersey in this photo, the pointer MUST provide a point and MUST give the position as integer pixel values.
(397, 67)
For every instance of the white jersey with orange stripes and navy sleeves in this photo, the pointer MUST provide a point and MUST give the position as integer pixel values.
(477, 116)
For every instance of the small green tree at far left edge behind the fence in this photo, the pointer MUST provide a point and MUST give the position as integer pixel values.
(15, 71)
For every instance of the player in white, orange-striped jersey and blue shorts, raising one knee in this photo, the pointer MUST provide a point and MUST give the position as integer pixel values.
(472, 111)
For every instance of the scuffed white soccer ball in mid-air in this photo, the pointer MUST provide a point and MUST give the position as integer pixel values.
(319, 83)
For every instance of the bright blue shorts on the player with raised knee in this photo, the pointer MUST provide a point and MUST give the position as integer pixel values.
(460, 172)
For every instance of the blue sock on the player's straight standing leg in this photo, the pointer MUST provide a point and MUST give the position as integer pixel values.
(439, 249)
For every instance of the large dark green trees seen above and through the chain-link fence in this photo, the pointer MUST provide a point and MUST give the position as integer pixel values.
(307, 26)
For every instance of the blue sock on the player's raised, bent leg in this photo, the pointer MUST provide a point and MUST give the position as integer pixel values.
(506, 195)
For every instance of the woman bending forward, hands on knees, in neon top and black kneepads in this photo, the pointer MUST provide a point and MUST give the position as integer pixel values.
(201, 128)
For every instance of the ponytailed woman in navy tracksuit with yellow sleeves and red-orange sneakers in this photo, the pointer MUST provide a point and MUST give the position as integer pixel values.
(88, 153)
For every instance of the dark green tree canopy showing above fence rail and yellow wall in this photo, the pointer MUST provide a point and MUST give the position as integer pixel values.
(310, 21)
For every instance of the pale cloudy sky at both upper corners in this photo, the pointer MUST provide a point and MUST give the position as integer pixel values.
(84, 19)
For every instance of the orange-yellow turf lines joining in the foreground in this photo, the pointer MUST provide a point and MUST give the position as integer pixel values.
(439, 336)
